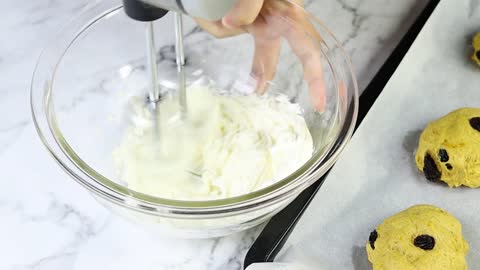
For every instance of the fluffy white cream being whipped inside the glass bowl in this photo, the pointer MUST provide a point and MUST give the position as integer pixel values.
(225, 146)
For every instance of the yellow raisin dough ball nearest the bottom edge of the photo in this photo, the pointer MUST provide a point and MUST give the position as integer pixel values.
(423, 237)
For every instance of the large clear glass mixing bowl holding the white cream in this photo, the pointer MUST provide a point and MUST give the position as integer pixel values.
(83, 80)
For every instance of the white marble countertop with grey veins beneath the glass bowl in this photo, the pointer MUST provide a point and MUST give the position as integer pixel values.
(49, 222)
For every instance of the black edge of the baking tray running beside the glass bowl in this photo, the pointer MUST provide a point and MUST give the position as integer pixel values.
(278, 229)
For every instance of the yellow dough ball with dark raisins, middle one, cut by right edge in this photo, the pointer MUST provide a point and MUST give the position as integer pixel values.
(449, 149)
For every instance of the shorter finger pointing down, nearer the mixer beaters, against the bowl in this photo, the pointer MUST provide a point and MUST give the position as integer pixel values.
(267, 52)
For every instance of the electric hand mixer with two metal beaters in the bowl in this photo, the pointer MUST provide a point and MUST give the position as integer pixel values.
(149, 11)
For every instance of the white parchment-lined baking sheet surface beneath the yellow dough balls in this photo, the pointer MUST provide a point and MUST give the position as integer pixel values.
(376, 175)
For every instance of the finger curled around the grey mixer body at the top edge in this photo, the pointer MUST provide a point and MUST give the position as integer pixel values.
(243, 13)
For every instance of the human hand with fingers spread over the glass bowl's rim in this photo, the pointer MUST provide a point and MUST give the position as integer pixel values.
(268, 21)
